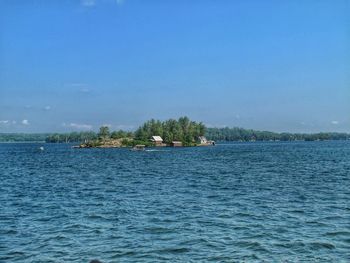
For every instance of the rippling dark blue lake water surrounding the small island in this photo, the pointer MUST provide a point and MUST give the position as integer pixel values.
(240, 202)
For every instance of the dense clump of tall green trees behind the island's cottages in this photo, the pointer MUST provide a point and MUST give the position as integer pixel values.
(182, 130)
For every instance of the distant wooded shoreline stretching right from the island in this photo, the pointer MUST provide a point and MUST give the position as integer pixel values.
(240, 134)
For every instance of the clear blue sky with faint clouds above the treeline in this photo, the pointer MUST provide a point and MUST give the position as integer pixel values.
(269, 65)
